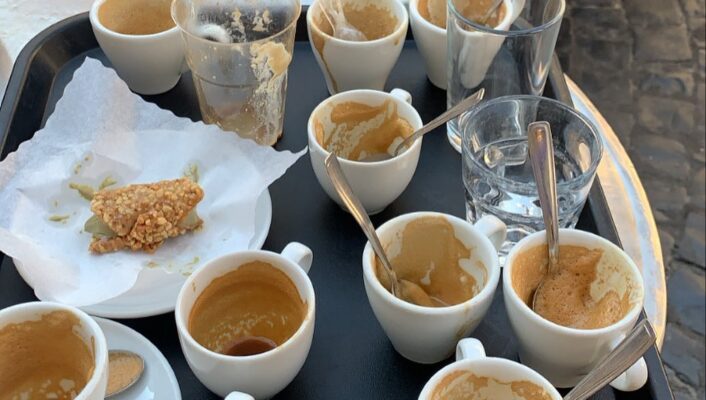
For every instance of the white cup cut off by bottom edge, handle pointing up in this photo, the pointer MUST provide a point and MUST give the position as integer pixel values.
(476, 376)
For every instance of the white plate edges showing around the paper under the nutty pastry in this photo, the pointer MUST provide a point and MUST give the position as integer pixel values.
(155, 291)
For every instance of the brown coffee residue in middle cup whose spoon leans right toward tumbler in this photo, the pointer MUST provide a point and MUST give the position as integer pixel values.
(360, 131)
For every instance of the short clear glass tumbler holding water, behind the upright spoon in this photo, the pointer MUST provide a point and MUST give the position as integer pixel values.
(497, 172)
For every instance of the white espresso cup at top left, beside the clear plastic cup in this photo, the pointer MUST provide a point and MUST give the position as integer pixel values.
(142, 42)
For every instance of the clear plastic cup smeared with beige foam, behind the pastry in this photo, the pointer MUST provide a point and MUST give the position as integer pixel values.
(239, 52)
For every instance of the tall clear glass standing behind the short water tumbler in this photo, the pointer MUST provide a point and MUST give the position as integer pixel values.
(510, 58)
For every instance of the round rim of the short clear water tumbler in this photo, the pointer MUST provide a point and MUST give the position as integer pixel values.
(595, 161)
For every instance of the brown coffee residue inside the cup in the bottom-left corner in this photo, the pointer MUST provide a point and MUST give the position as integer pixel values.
(44, 358)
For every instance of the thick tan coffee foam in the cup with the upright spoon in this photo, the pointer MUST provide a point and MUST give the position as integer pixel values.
(591, 290)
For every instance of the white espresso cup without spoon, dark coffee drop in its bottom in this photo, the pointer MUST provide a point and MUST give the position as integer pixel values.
(246, 320)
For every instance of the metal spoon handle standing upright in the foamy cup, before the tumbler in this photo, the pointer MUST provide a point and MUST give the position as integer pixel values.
(541, 150)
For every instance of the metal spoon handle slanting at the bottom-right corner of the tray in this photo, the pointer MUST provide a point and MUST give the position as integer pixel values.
(629, 351)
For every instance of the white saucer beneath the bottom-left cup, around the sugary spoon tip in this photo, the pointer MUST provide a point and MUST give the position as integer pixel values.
(158, 381)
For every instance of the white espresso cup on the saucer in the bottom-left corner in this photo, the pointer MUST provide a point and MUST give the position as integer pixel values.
(51, 350)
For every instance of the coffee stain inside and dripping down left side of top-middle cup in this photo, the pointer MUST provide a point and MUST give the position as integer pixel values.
(373, 21)
